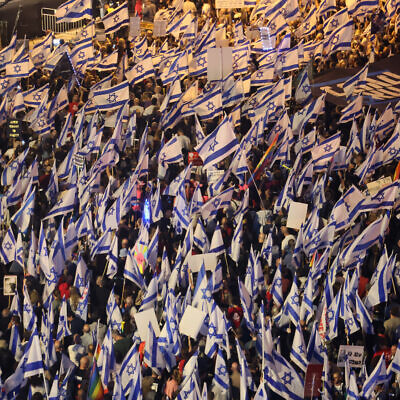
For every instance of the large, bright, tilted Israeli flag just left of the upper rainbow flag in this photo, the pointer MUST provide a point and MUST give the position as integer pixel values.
(218, 145)
